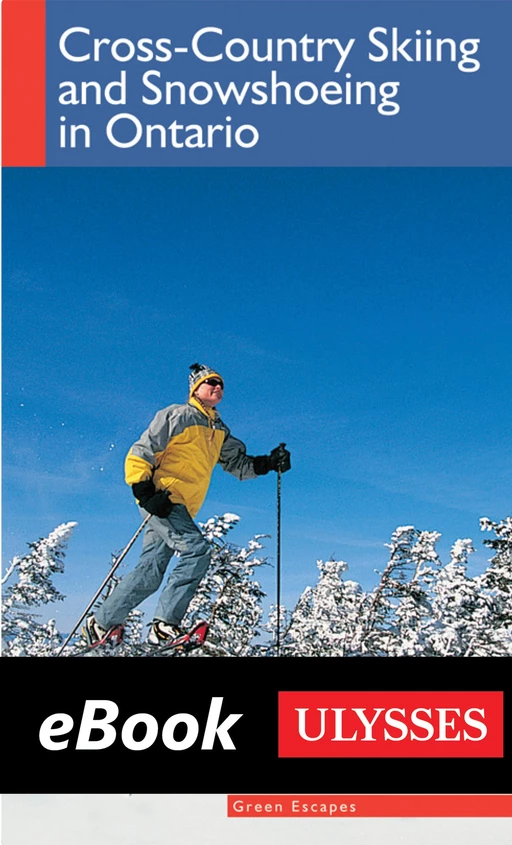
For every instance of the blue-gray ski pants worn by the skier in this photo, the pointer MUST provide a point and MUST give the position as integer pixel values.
(162, 537)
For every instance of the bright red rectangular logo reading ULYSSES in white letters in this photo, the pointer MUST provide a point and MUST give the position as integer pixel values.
(391, 724)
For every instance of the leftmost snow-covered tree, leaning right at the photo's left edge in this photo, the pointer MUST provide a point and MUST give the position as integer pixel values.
(29, 584)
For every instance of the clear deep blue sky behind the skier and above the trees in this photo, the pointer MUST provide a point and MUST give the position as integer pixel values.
(363, 316)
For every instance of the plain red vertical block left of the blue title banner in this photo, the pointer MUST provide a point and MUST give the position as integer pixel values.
(23, 83)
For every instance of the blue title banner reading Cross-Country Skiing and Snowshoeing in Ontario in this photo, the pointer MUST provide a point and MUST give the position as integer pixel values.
(288, 83)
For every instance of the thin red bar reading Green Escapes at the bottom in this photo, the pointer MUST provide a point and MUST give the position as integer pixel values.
(369, 806)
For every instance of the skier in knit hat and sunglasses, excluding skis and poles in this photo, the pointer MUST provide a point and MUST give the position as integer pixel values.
(169, 470)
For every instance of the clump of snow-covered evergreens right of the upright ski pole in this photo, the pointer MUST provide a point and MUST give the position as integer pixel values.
(417, 608)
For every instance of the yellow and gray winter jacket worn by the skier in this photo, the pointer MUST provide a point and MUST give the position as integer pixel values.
(179, 450)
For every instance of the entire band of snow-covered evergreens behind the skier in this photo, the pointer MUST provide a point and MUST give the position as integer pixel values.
(418, 607)
